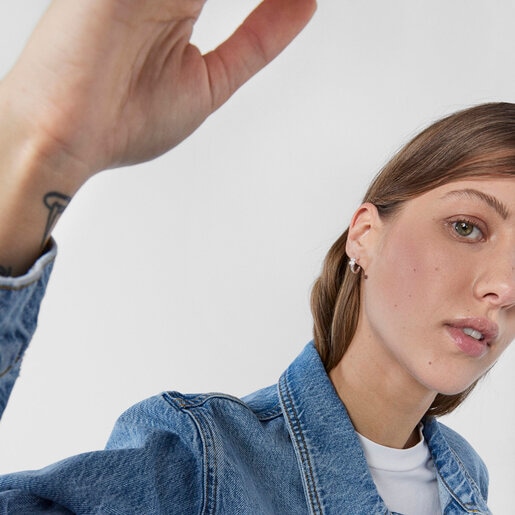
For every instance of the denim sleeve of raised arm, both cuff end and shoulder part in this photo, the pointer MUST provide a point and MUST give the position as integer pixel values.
(152, 464)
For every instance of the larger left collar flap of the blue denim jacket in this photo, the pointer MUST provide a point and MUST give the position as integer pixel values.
(333, 466)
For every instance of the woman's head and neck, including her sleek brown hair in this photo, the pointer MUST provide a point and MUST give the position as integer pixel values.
(420, 275)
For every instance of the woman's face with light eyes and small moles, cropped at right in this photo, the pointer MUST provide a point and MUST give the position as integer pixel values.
(438, 301)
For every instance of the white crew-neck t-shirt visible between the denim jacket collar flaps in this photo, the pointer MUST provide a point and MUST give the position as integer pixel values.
(405, 478)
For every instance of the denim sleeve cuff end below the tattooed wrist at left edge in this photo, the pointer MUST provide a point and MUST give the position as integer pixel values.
(20, 299)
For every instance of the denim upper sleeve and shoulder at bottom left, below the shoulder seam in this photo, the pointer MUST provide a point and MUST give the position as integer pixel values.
(153, 464)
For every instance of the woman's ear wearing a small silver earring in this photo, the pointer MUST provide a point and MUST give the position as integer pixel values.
(363, 234)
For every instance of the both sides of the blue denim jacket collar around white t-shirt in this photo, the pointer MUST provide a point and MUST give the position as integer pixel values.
(334, 470)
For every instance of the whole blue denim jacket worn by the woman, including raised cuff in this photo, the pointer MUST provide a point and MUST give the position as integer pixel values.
(286, 449)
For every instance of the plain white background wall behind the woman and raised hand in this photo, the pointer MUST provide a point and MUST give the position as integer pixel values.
(193, 272)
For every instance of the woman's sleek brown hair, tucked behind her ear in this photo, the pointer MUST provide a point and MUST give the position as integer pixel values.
(475, 142)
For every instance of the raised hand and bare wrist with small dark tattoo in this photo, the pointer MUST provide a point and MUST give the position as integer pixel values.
(105, 83)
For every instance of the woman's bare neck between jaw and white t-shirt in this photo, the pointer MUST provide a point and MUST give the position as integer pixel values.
(385, 403)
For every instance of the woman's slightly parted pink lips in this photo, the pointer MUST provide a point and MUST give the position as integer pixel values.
(470, 346)
